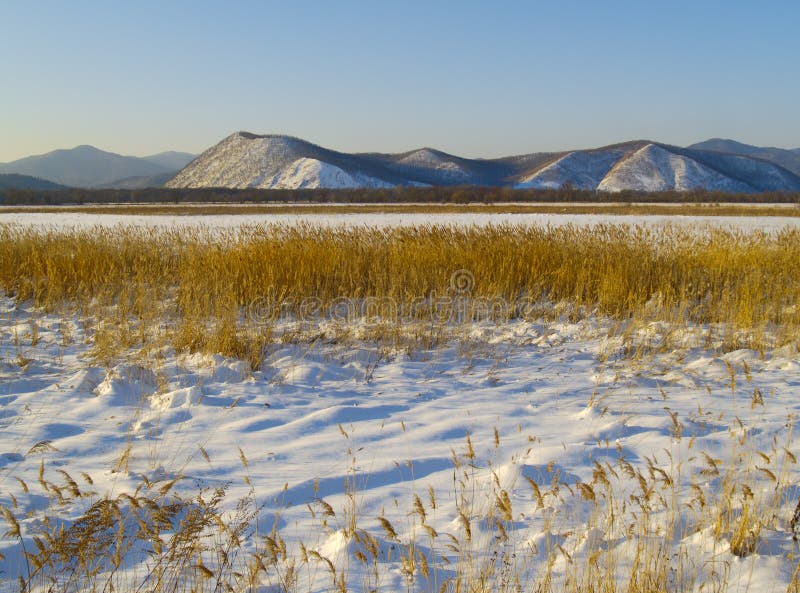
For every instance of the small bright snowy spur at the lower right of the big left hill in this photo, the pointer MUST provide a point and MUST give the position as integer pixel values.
(311, 173)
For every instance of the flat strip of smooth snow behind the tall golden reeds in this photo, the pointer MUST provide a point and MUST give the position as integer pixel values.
(230, 221)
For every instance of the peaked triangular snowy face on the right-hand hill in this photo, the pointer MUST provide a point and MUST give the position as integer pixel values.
(654, 168)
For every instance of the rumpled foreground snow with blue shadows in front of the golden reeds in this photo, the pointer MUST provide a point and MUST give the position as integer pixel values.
(323, 417)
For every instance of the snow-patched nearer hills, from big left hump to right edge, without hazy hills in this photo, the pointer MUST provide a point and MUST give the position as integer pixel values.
(246, 160)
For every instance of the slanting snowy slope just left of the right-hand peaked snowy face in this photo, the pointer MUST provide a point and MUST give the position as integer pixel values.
(580, 169)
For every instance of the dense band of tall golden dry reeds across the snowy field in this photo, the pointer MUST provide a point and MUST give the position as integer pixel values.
(744, 281)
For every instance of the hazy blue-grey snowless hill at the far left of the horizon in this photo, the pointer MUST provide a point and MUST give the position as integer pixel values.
(85, 166)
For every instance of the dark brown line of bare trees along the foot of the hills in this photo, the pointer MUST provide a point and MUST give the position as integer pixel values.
(421, 195)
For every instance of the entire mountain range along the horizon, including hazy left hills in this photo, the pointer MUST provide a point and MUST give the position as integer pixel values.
(246, 160)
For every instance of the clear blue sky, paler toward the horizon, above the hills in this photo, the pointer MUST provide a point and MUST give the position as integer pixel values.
(475, 78)
